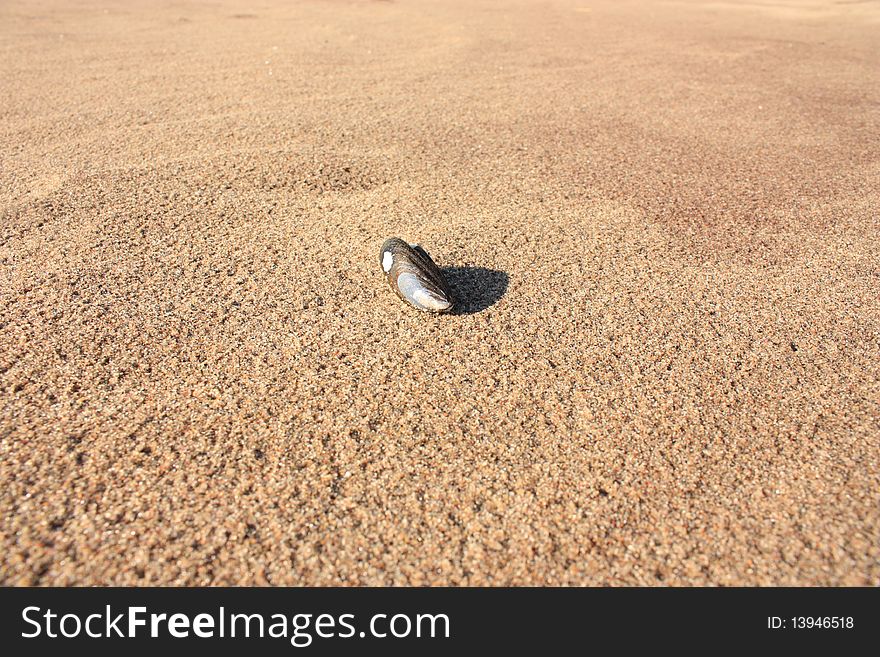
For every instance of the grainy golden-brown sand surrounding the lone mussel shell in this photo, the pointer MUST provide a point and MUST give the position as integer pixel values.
(663, 220)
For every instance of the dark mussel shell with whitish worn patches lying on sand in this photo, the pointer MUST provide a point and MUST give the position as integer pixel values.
(414, 277)
